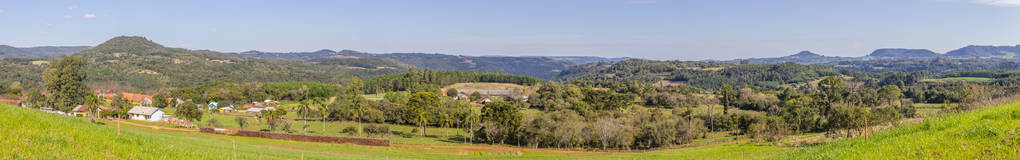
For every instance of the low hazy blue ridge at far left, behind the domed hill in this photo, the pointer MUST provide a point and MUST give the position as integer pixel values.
(39, 52)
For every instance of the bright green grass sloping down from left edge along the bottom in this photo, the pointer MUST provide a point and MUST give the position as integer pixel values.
(29, 134)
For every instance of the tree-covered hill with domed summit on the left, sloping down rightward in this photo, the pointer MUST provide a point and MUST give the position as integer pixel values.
(135, 63)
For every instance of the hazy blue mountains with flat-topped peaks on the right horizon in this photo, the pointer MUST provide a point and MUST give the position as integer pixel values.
(808, 58)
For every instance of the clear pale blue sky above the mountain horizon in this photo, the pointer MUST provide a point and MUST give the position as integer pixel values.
(685, 30)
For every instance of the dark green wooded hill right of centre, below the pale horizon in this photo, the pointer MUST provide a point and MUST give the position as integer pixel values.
(700, 75)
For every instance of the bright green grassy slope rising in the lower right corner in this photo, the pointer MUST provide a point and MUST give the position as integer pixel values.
(985, 134)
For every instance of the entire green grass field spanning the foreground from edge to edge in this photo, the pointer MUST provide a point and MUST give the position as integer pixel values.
(29, 134)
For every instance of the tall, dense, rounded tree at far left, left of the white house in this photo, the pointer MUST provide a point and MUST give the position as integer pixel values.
(66, 82)
